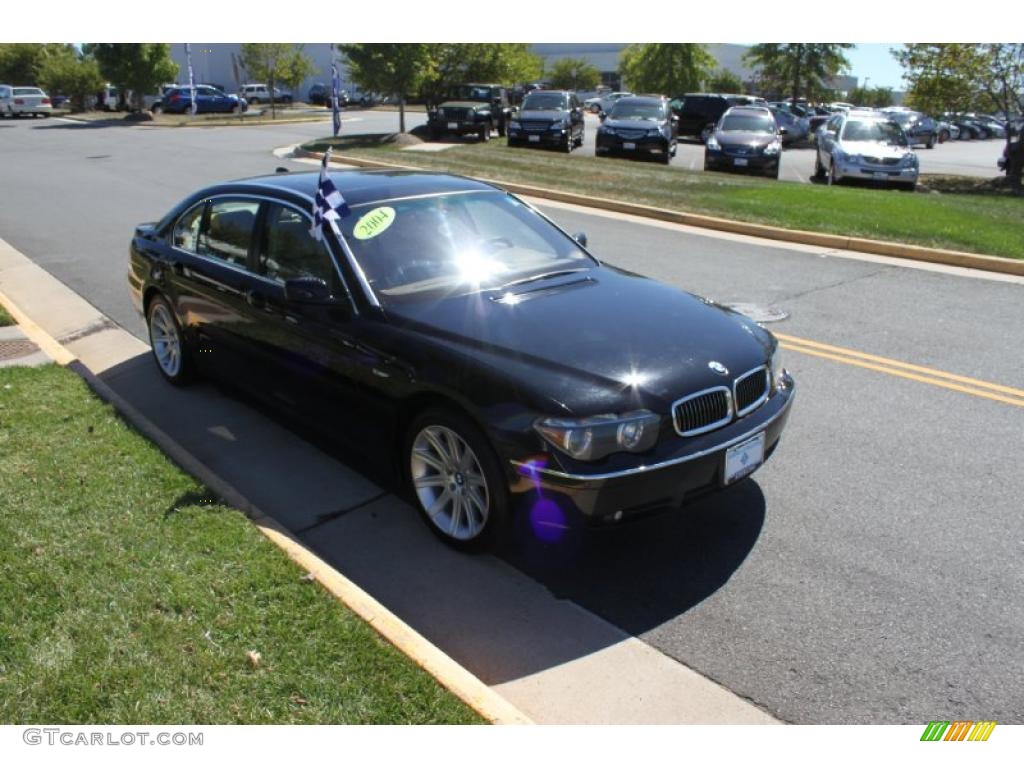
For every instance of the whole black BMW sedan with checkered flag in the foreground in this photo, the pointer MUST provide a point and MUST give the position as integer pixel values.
(452, 328)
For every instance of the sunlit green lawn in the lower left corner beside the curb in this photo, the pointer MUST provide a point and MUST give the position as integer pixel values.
(127, 598)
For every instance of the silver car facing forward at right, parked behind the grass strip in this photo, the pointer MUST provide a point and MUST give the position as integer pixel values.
(866, 146)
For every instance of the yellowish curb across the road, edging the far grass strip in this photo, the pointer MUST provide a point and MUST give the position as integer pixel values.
(824, 240)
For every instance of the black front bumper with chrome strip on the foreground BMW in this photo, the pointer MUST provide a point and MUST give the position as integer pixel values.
(606, 497)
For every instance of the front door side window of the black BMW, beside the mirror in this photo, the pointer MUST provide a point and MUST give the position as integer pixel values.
(288, 249)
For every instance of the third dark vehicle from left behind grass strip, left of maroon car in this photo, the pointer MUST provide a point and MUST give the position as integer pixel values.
(638, 126)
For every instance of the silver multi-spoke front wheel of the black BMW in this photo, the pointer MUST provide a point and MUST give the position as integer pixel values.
(450, 483)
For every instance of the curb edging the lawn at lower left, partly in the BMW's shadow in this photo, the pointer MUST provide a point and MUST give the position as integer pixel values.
(471, 690)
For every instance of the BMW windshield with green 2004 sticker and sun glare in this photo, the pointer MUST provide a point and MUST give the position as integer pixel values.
(455, 245)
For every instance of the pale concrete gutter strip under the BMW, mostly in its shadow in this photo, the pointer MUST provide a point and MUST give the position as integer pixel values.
(552, 660)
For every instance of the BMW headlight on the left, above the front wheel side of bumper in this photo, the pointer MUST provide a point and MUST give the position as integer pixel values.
(596, 437)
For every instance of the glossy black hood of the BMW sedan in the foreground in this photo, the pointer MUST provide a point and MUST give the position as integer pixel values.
(595, 342)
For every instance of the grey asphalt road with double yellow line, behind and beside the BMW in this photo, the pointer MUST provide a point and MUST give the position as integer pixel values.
(870, 574)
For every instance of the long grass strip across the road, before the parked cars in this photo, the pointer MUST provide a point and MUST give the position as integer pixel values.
(980, 224)
